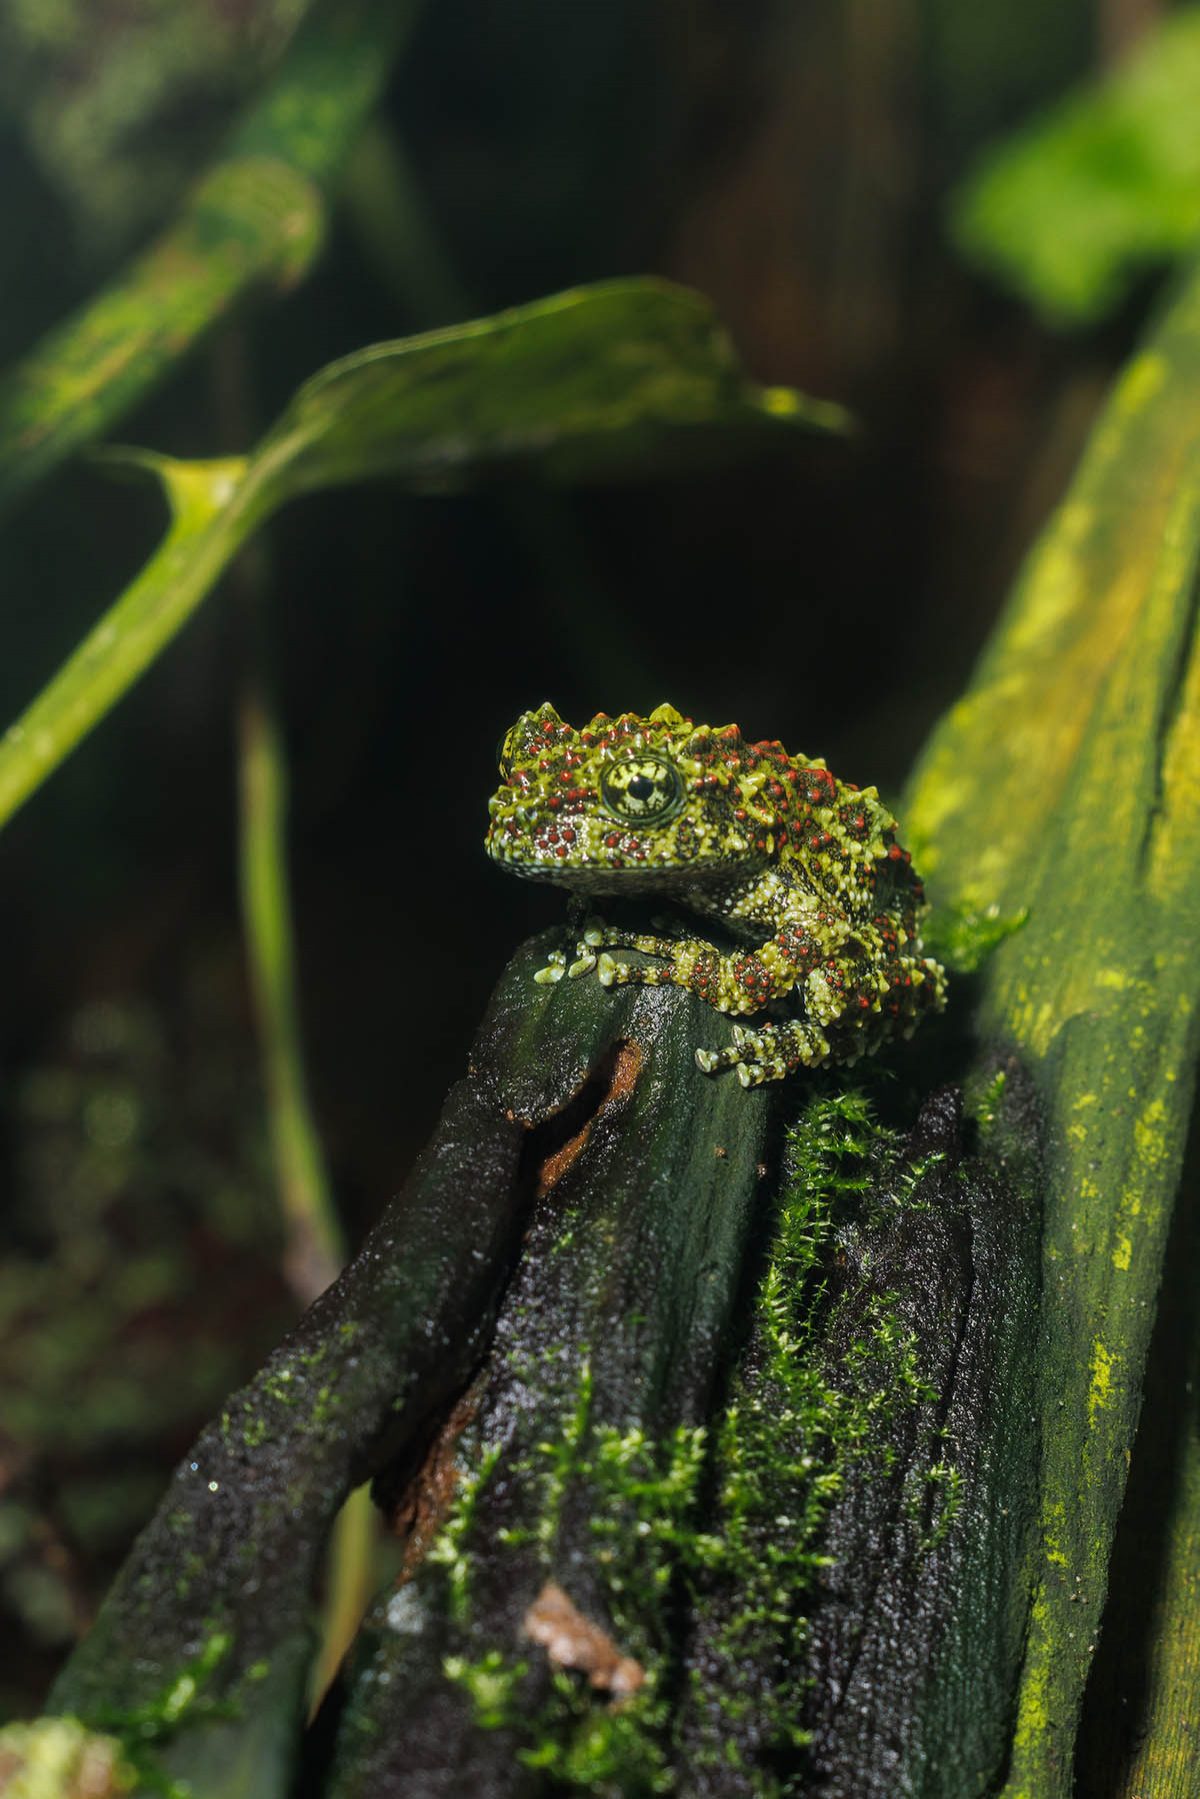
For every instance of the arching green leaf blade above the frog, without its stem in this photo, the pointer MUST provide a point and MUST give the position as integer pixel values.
(609, 382)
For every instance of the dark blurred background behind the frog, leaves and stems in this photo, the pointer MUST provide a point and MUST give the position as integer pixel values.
(789, 161)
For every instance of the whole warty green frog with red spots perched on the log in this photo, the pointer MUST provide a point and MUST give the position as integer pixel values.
(800, 868)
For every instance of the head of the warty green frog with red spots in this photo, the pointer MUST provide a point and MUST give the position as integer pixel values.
(629, 803)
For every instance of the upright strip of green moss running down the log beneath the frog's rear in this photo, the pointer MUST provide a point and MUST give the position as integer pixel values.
(794, 1435)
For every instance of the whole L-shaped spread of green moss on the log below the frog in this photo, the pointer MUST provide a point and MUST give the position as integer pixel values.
(721, 1525)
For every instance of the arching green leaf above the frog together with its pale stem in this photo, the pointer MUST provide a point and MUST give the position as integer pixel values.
(627, 379)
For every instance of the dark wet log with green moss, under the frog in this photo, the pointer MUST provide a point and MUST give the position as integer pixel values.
(631, 1359)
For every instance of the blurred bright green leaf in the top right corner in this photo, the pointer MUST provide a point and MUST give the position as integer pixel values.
(1106, 186)
